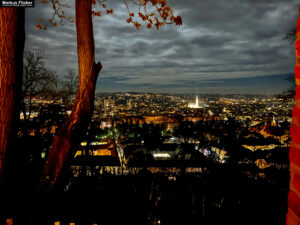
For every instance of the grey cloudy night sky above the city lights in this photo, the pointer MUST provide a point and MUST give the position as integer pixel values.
(223, 46)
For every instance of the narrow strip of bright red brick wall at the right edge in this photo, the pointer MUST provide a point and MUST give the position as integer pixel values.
(293, 215)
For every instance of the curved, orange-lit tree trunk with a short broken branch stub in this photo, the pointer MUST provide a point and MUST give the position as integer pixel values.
(77, 123)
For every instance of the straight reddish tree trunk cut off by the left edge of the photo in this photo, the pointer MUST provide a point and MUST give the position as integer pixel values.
(12, 37)
